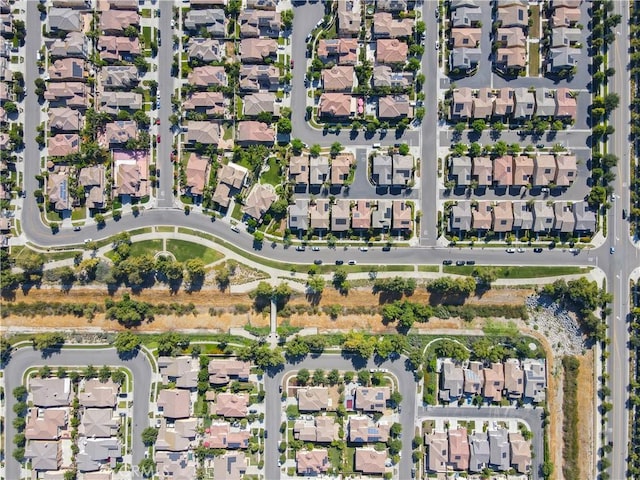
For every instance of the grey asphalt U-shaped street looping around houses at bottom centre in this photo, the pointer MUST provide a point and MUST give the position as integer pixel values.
(274, 413)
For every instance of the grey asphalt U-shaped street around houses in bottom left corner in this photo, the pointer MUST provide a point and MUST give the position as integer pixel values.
(26, 358)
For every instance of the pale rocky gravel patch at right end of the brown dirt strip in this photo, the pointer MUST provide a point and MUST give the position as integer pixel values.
(558, 325)
